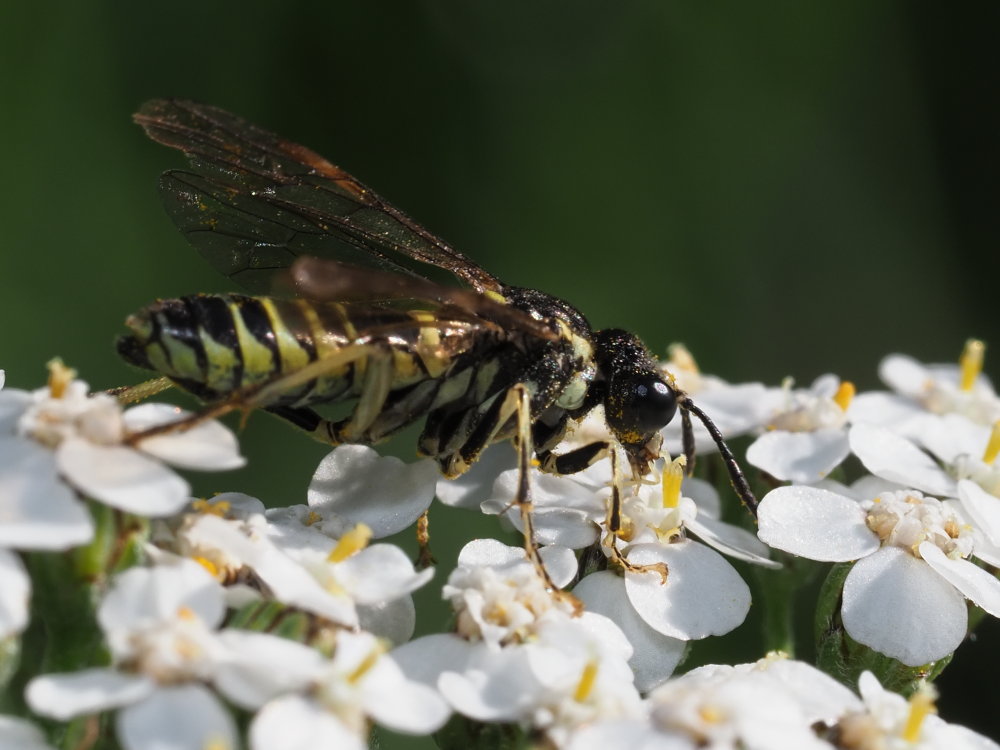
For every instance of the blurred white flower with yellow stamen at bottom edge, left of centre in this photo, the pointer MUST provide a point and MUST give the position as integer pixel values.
(334, 700)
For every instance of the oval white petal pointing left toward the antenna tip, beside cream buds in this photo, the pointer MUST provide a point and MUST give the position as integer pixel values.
(815, 523)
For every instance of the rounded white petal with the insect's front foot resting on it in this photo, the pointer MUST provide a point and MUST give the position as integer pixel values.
(703, 595)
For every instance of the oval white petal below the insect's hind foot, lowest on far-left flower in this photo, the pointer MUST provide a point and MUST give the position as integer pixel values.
(122, 478)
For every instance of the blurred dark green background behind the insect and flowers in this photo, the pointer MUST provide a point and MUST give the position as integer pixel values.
(788, 188)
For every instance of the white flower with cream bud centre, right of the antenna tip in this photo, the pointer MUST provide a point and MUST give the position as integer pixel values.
(904, 597)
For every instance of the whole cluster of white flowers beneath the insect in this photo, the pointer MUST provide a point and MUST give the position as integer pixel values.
(297, 619)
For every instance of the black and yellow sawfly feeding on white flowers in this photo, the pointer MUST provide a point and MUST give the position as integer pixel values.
(482, 363)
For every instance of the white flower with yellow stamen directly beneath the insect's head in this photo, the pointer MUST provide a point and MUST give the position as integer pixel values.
(702, 595)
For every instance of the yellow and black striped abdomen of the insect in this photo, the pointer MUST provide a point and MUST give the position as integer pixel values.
(216, 345)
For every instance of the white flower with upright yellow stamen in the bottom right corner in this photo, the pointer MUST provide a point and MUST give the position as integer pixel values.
(887, 720)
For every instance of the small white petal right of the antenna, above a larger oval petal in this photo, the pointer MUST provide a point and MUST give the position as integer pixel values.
(799, 456)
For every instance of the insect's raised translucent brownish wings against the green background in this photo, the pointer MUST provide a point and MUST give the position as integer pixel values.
(254, 202)
